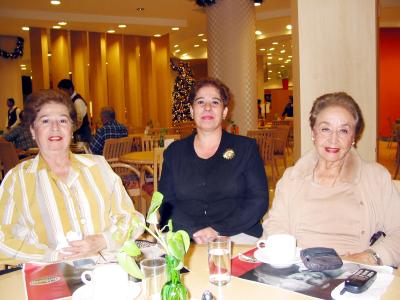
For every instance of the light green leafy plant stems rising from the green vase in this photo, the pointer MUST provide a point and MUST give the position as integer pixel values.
(175, 244)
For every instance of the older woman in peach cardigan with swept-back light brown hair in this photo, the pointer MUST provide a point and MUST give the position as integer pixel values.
(332, 197)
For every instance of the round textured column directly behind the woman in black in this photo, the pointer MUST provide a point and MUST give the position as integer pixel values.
(232, 56)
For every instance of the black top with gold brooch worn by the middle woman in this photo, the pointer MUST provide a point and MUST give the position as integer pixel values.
(229, 195)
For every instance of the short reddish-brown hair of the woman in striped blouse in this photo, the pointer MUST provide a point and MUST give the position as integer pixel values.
(36, 100)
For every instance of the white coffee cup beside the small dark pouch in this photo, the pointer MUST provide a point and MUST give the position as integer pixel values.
(278, 248)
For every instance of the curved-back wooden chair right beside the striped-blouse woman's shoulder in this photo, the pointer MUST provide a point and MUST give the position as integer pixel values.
(133, 182)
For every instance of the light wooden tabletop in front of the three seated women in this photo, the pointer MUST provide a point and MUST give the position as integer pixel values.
(11, 285)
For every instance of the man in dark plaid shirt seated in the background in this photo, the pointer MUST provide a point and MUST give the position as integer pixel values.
(111, 129)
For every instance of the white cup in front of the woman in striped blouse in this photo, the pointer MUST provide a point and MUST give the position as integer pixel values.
(106, 282)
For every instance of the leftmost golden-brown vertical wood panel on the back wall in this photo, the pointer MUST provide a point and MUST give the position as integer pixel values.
(39, 58)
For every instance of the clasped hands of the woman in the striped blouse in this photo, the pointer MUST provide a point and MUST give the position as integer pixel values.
(90, 245)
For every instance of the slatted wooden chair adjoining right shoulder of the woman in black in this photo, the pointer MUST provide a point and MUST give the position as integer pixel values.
(266, 148)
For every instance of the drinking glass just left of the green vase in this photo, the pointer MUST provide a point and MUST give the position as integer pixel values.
(154, 272)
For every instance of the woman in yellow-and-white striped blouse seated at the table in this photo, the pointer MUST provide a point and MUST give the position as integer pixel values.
(59, 205)
